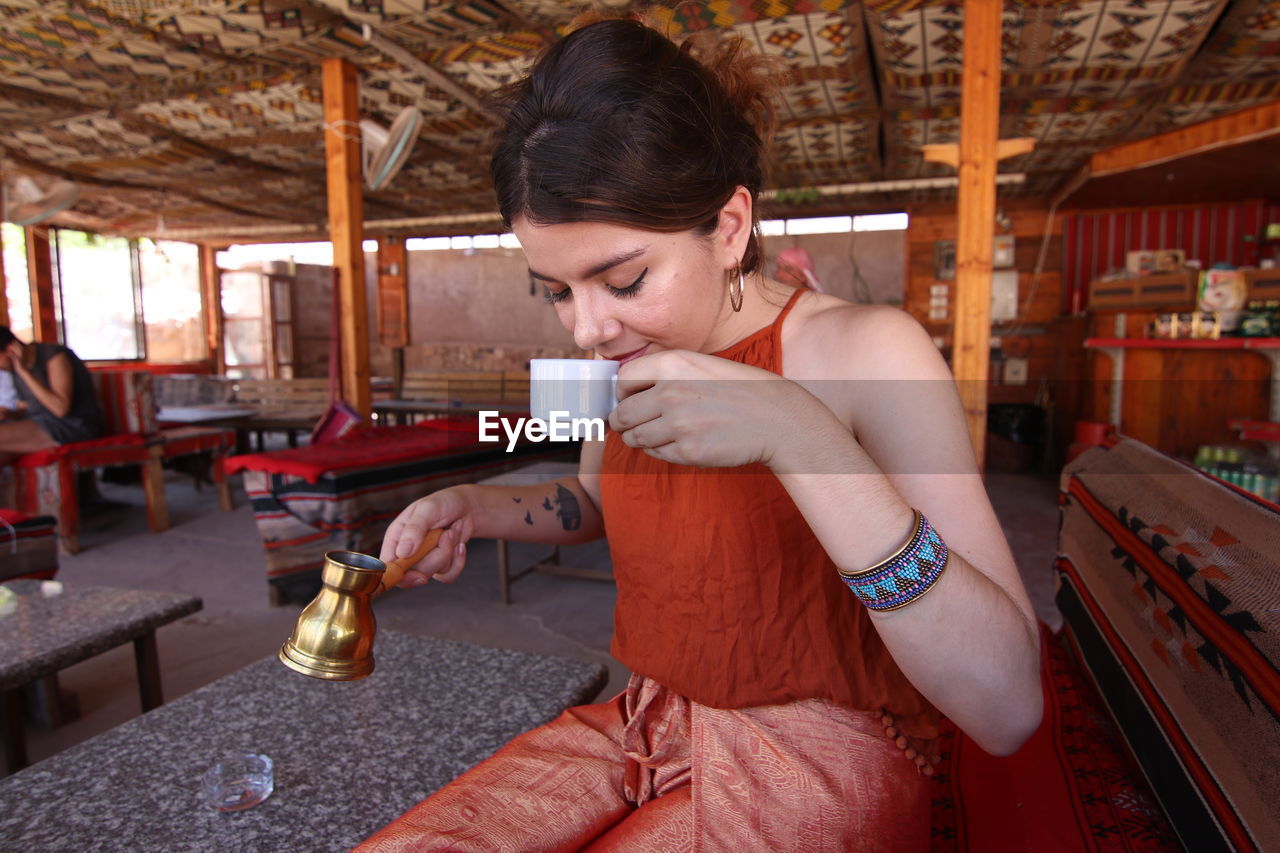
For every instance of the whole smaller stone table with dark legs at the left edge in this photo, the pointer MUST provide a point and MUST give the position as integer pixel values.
(47, 627)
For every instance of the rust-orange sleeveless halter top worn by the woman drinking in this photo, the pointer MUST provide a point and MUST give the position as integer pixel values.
(725, 595)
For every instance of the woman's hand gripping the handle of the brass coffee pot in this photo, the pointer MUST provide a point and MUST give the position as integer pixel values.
(446, 509)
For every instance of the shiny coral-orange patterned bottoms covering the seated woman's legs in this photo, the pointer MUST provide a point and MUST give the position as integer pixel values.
(653, 772)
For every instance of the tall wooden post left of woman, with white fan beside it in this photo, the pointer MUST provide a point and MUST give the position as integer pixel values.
(346, 226)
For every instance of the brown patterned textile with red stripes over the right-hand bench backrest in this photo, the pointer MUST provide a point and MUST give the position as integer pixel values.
(1171, 592)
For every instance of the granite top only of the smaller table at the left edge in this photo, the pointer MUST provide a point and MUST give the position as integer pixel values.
(47, 627)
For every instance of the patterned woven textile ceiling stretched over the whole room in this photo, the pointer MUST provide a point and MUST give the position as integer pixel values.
(207, 115)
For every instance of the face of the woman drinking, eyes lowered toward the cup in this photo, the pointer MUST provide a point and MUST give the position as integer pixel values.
(627, 293)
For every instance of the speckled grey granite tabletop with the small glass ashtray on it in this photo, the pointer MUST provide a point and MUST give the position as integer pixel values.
(350, 756)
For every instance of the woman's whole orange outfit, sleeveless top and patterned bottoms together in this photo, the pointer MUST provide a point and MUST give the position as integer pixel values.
(743, 724)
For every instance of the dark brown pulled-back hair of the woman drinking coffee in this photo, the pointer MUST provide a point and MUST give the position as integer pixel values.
(616, 124)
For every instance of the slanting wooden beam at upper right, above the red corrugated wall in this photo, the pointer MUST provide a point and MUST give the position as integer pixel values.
(1235, 129)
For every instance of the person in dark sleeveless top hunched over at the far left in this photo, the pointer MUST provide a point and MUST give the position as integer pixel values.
(56, 400)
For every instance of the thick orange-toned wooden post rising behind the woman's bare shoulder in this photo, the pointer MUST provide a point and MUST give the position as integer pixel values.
(980, 129)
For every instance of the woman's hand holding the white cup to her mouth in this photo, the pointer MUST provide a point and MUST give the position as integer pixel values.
(696, 409)
